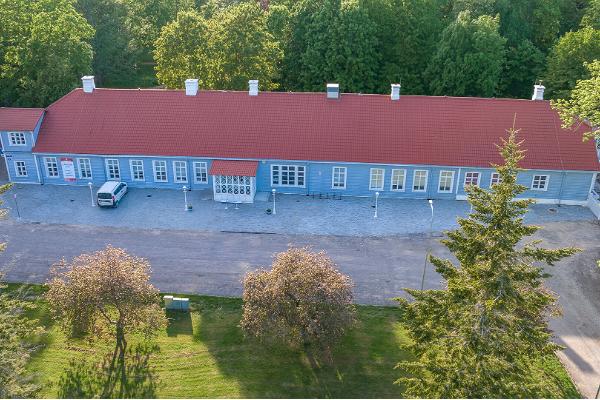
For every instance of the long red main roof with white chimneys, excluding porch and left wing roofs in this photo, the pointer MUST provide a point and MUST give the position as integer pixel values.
(445, 131)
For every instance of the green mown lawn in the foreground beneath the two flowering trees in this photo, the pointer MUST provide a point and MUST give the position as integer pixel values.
(204, 354)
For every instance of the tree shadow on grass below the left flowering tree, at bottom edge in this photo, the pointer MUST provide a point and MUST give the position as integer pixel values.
(132, 378)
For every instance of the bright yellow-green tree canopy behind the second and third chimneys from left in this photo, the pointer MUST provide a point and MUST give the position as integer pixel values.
(223, 52)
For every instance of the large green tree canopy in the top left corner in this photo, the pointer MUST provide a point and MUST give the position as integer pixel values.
(44, 50)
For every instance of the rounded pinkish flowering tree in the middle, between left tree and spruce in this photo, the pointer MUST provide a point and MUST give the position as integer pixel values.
(303, 300)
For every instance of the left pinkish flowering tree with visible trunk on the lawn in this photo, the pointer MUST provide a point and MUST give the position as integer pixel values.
(108, 291)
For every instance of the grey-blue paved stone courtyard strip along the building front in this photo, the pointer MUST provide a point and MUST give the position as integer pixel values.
(295, 214)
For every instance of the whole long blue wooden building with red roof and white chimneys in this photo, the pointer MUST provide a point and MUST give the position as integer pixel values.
(240, 143)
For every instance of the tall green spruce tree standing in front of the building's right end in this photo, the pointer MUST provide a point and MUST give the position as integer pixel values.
(484, 334)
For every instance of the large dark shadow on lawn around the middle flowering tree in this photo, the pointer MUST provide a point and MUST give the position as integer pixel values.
(363, 363)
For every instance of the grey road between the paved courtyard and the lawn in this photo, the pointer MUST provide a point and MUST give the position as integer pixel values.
(215, 262)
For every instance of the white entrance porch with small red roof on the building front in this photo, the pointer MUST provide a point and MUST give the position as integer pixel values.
(234, 181)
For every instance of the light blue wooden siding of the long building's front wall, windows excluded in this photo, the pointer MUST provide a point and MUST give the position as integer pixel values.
(567, 185)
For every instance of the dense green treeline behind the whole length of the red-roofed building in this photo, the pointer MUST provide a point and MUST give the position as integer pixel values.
(439, 47)
